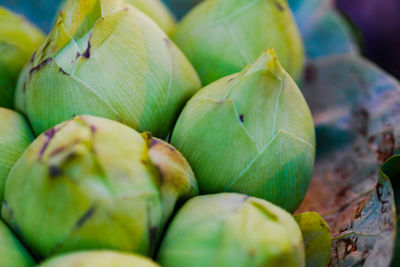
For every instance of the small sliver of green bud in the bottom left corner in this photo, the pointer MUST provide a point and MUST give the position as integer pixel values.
(12, 253)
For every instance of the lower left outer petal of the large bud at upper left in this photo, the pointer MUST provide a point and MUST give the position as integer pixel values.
(70, 97)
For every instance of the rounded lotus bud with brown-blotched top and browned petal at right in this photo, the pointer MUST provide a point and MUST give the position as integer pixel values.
(92, 183)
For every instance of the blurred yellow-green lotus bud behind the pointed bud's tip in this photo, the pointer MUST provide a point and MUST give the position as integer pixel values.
(220, 37)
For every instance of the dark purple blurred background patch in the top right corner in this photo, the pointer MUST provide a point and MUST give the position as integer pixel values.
(379, 22)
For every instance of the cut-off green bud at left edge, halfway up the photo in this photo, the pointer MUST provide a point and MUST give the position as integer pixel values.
(15, 137)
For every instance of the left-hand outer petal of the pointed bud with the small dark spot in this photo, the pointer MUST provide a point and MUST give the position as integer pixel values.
(212, 151)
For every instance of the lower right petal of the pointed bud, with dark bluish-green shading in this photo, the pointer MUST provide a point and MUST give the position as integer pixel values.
(265, 174)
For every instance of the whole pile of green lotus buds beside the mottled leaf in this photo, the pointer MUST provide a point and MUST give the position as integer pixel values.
(128, 139)
